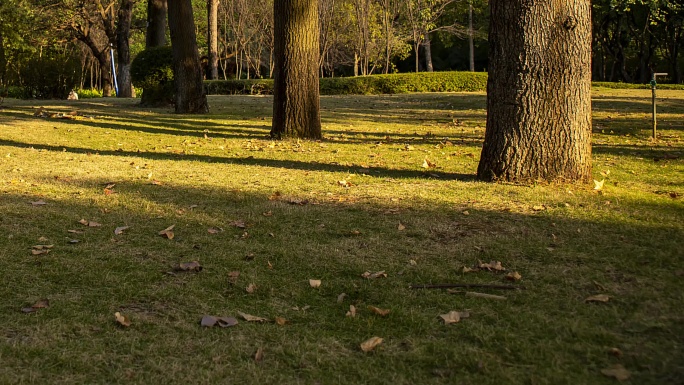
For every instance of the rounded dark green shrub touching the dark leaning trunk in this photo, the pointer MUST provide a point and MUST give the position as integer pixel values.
(152, 70)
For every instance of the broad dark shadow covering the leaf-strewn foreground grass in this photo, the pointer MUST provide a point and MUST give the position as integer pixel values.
(105, 273)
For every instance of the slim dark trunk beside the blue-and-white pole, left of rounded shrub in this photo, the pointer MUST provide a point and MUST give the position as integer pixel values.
(123, 49)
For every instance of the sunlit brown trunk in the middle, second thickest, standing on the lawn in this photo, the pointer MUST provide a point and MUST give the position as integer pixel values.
(296, 100)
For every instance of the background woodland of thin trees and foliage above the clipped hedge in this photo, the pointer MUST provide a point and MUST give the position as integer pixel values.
(631, 38)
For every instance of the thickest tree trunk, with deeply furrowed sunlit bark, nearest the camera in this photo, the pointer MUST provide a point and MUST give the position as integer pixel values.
(539, 91)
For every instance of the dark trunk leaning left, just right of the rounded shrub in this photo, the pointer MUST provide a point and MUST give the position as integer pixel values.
(187, 69)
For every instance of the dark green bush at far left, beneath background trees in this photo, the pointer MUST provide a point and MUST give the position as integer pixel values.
(50, 76)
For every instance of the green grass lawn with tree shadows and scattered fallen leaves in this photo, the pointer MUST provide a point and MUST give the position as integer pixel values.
(282, 213)
